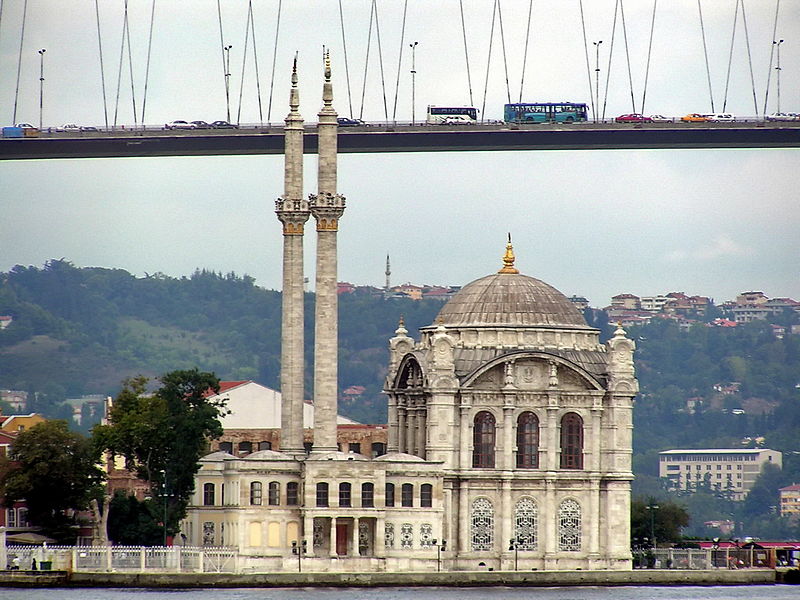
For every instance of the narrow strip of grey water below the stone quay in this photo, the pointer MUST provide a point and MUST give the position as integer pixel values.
(751, 592)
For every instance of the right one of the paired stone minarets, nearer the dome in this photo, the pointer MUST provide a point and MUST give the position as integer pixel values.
(327, 207)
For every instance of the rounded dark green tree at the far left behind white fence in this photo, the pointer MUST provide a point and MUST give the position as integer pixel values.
(55, 471)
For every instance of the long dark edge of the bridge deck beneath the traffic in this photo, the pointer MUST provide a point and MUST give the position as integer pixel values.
(387, 139)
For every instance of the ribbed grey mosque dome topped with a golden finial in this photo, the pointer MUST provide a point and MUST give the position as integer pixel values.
(510, 298)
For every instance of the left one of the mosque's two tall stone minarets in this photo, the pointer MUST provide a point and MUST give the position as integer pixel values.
(292, 211)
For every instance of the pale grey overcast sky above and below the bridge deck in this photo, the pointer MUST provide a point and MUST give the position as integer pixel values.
(593, 223)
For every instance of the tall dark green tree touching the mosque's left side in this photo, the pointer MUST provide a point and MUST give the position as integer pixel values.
(163, 434)
